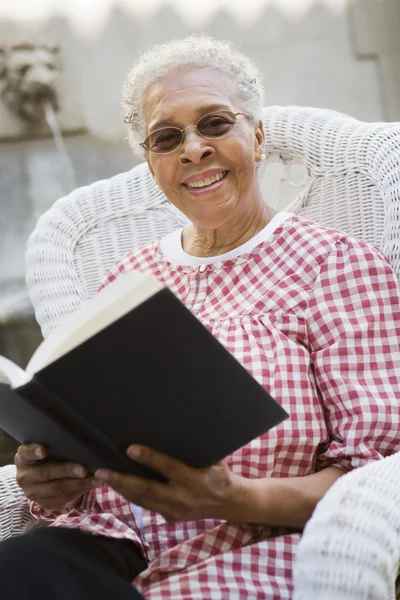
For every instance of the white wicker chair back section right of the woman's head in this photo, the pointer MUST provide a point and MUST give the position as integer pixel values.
(354, 170)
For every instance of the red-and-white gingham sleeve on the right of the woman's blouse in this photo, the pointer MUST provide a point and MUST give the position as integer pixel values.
(353, 322)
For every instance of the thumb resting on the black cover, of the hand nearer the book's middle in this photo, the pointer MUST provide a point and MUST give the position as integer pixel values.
(171, 468)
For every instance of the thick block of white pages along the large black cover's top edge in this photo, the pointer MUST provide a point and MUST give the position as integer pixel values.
(114, 301)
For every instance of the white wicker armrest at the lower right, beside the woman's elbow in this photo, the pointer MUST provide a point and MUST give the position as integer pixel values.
(350, 548)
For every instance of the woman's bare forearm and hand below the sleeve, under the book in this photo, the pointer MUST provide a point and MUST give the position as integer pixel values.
(217, 493)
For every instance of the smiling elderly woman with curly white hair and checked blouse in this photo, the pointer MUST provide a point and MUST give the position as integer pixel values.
(311, 313)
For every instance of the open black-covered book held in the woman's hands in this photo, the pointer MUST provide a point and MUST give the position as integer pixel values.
(134, 365)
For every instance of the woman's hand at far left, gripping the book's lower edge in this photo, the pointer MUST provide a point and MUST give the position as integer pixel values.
(55, 486)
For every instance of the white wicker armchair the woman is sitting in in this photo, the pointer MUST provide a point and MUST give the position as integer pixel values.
(354, 185)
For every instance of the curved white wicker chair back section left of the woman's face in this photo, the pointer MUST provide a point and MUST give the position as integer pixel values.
(84, 233)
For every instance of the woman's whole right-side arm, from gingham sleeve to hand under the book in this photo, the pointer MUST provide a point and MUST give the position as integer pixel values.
(353, 323)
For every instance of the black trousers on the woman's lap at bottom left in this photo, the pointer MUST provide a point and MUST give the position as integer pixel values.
(68, 564)
